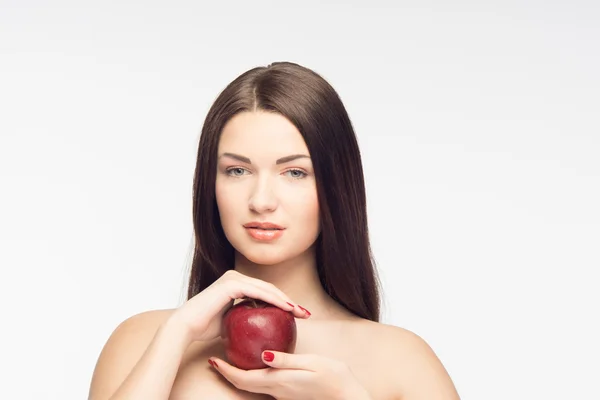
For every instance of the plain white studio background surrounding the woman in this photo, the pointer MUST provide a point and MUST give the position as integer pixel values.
(478, 123)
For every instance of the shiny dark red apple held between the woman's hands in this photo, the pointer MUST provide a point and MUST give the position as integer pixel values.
(252, 326)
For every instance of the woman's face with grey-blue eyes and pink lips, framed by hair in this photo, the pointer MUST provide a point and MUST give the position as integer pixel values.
(265, 174)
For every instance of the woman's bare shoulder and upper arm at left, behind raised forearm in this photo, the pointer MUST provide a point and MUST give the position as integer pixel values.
(123, 349)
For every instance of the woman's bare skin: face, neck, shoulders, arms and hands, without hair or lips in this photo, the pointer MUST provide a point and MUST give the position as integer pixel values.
(265, 174)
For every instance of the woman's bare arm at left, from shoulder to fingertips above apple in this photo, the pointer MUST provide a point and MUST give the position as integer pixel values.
(141, 358)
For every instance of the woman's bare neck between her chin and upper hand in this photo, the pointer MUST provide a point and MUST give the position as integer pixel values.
(299, 280)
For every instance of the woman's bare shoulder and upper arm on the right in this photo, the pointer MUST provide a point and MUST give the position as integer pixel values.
(411, 363)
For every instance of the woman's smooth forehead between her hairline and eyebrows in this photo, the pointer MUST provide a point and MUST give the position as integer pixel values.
(263, 132)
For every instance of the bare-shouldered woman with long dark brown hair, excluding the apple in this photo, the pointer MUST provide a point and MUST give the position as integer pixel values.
(277, 147)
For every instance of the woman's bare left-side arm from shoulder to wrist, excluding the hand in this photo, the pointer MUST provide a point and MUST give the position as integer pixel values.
(141, 359)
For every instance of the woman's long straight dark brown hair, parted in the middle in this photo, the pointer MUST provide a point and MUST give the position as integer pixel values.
(345, 264)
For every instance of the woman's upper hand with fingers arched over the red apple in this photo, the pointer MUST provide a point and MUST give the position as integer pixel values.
(201, 315)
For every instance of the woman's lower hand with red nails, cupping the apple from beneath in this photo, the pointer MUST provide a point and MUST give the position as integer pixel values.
(296, 376)
